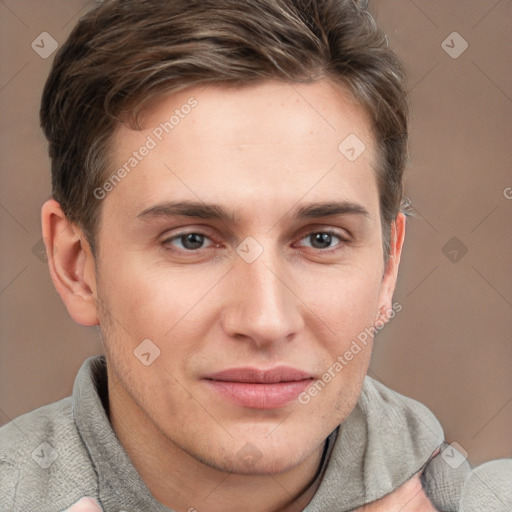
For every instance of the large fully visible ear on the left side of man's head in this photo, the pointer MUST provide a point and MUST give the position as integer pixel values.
(71, 264)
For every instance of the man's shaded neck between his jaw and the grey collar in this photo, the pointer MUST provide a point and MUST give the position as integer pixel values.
(185, 484)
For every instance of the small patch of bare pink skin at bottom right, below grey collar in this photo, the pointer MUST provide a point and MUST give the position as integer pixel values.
(409, 497)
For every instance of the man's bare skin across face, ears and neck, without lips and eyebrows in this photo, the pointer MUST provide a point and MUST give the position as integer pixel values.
(260, 152)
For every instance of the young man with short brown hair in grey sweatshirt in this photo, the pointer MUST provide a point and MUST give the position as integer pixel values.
(227, 182)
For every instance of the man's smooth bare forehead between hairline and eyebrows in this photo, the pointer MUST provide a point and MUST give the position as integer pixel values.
(249, 146)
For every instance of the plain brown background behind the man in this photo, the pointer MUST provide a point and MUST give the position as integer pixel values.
(450, 347)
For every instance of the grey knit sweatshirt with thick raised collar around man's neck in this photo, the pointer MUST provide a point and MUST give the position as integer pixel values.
(59, 453)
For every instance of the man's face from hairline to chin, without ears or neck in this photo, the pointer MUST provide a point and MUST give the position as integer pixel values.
(246, 250)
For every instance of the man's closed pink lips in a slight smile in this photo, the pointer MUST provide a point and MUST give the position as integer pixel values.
(258, 388)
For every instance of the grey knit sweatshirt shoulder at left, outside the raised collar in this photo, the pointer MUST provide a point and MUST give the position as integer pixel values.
(43, 460)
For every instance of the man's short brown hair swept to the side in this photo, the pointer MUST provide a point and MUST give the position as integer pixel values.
(124, 52)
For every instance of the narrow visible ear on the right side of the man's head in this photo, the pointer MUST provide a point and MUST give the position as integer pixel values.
(389, 278)
